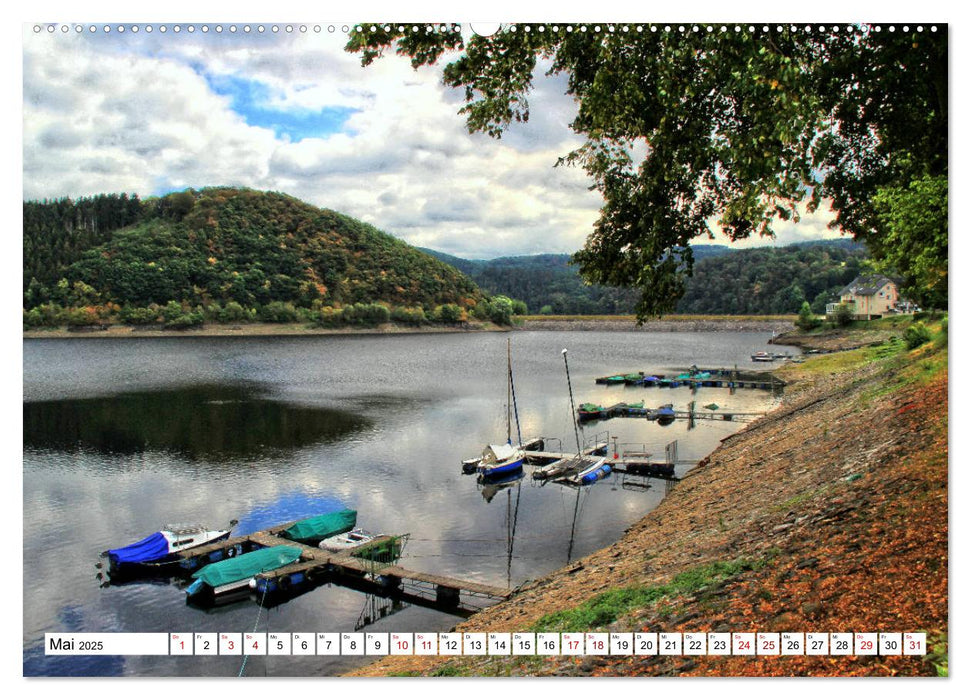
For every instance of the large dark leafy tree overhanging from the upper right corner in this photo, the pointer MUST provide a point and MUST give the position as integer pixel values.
(686, 128)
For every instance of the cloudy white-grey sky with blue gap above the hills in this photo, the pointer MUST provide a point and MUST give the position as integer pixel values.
(153, 112)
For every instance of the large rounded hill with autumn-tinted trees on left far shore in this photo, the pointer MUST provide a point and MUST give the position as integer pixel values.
(221, 246)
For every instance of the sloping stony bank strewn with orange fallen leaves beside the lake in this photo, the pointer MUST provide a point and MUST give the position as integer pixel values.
(828, 515)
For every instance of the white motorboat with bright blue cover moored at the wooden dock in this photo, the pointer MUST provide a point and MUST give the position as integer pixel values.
(155, 552)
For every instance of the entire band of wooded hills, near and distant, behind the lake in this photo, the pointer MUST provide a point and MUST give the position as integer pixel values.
(239, 255)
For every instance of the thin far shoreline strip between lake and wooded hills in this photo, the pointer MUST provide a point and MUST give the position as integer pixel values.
(705, 324)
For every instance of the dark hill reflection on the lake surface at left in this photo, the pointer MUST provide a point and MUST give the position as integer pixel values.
(212, 423)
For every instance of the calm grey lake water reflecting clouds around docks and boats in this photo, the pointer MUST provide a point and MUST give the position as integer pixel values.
(123, 436)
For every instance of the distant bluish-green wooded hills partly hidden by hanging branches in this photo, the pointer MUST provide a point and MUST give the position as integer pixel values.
(764, 280)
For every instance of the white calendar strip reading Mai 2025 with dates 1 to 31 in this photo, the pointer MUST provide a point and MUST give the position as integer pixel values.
(765, 644)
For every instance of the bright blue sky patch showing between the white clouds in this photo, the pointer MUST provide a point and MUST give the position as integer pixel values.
(251, 98)
